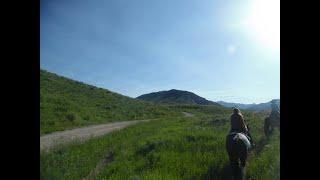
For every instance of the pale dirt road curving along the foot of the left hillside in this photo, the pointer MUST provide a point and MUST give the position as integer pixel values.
(50, 140)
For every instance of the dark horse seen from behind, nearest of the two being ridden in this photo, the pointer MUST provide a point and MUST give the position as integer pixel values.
(238, 146)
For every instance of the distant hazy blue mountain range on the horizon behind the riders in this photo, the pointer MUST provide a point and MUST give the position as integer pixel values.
(254, 107)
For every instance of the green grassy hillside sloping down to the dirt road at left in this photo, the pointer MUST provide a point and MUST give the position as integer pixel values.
(65, 103)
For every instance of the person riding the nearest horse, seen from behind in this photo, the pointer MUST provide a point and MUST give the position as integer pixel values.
(238, 124)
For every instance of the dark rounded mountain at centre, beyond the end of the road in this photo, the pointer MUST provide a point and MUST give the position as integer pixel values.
(174, 96)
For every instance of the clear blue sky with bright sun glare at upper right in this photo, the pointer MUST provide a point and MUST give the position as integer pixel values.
(142, 46)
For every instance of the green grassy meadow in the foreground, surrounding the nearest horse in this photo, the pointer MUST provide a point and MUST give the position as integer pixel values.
(169, 148)
